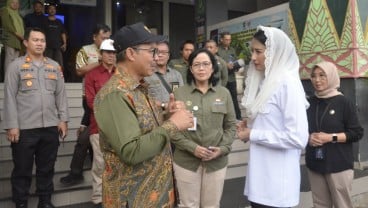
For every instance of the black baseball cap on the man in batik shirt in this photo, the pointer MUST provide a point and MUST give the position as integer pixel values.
(132, 35)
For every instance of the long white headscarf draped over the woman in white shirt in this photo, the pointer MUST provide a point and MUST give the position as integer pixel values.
(281, 63)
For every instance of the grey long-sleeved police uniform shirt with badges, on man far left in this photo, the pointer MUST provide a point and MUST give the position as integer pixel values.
(34, 94)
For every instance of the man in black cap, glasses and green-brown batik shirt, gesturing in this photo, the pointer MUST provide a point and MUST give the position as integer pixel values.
(135, 140)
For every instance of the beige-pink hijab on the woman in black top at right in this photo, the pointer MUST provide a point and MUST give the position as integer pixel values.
(333, 80)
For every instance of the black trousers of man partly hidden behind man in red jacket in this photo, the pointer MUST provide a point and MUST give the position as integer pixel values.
(83, 146)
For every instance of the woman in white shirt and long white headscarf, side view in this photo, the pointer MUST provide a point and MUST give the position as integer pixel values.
(276, 121)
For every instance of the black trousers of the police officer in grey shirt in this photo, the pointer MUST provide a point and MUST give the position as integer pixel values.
(39, 146)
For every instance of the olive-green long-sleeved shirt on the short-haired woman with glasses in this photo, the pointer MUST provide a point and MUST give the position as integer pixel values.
(216, 126)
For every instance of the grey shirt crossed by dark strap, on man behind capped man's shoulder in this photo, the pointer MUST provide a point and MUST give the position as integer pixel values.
(157, 89)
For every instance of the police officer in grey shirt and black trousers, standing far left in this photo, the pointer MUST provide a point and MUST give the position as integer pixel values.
(35, 115)
